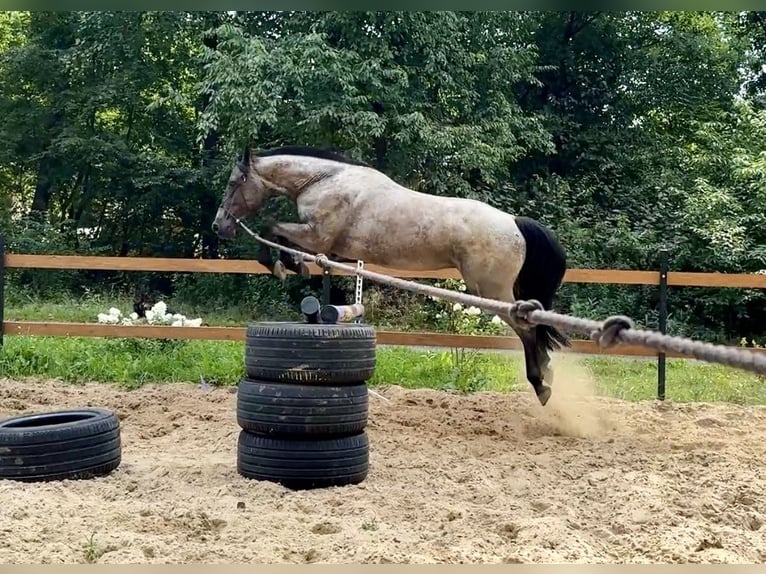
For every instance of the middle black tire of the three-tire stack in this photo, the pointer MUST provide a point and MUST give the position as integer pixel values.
(280, 410)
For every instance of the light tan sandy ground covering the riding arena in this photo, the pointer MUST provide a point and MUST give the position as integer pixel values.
(481, 478)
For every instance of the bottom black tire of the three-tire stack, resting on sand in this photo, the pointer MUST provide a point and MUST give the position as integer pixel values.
(304, 464)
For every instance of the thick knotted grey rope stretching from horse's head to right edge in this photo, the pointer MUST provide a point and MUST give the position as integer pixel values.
(613, 330)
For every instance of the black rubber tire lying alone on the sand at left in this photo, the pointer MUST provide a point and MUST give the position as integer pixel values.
(60, 445)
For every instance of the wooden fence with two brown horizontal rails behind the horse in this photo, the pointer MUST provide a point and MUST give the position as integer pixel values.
(661, 278)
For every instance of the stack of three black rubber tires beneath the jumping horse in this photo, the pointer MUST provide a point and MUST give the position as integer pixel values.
(303, 404)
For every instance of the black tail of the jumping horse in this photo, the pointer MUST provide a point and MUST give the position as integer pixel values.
(541, 275)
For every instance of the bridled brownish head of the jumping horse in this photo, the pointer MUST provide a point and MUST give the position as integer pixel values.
(244, 195)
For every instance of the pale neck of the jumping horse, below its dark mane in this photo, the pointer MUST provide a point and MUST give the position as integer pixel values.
(293, 174)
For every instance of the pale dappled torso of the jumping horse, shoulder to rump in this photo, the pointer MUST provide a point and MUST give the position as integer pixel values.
(391, 225)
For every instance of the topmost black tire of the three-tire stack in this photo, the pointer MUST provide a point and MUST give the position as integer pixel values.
(337, 354)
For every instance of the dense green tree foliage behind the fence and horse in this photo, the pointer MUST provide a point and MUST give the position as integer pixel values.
(626, 131)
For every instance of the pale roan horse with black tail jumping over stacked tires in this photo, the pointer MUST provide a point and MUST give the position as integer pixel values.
(350, 211)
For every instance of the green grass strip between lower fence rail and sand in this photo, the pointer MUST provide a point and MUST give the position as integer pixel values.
(134, 362)
